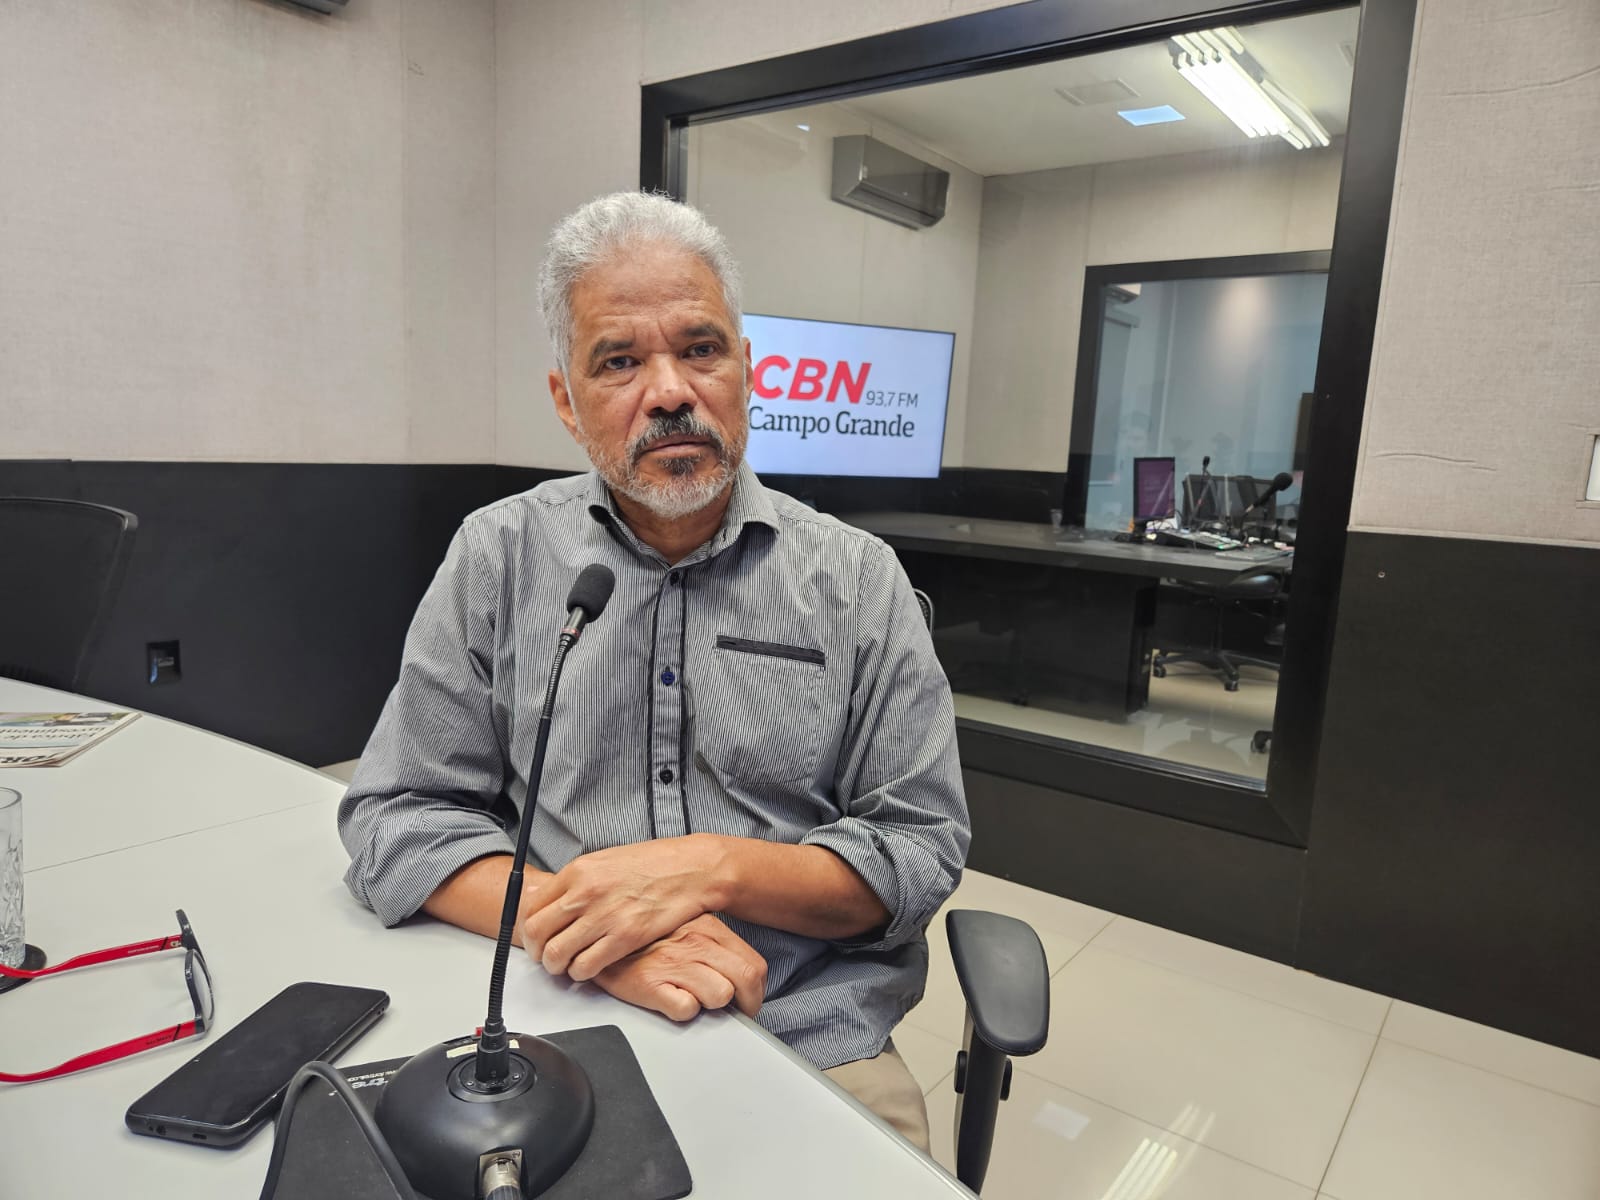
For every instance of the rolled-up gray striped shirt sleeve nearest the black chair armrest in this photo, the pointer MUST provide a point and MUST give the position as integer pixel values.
(905, 826)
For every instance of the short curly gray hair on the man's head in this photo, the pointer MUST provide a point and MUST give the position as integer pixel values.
(606, 228)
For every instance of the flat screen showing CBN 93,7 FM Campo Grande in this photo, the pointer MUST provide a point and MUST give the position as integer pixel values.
(836, 399)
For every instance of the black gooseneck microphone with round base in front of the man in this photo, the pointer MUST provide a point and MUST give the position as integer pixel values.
(516, 1108)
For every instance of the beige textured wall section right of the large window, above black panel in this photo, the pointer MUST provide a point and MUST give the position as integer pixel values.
(1486, 388)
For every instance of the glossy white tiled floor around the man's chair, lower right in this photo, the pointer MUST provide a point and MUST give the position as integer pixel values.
(1186, 1071)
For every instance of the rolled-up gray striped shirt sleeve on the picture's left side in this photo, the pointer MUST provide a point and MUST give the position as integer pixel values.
(422, 802)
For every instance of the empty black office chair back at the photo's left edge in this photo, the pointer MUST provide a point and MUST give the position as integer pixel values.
(68, 561)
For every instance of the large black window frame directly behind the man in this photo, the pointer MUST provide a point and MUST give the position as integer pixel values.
(1055, 30)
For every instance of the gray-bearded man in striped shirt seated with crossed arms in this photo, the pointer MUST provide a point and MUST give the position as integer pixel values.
(753, 794)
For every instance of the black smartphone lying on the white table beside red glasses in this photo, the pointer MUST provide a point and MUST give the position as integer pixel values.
(234, 1086)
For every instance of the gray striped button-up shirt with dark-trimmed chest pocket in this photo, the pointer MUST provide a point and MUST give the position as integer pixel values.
(777, 684)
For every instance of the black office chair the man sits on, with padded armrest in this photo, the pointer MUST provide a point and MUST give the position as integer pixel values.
(1006, 982)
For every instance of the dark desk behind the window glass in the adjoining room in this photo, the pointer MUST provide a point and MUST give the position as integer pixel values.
(1089, 626)
